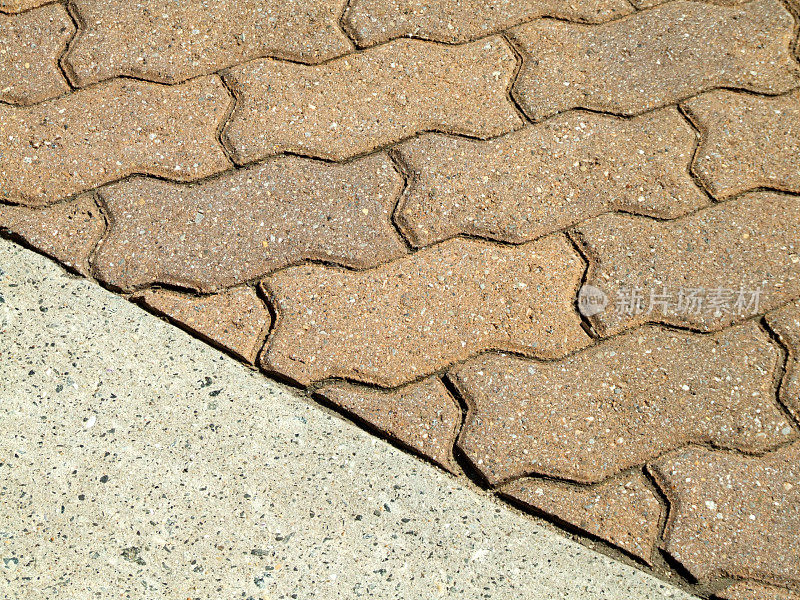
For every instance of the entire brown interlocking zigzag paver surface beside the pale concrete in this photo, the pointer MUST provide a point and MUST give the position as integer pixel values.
(552, 248)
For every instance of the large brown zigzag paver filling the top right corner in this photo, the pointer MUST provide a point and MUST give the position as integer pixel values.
(655, 58)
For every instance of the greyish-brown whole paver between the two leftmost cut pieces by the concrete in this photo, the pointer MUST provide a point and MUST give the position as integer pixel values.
(246, 223)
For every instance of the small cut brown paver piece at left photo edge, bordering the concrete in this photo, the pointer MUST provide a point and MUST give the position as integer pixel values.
(68, 231)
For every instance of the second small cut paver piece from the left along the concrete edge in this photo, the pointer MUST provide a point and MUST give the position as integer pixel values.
(236, 320)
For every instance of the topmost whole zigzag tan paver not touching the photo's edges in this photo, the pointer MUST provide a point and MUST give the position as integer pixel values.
(355, 104)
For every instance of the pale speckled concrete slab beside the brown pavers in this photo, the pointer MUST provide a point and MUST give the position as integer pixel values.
(140, 463)
